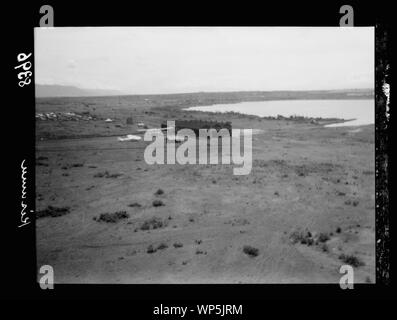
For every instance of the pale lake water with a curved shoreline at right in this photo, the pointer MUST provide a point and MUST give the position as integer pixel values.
(362, 111)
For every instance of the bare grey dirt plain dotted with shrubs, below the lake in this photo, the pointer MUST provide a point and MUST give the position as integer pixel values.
(307, 205)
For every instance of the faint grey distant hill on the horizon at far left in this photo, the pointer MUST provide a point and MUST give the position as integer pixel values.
(44, 90)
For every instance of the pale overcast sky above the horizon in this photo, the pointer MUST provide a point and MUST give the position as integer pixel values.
(145, 60)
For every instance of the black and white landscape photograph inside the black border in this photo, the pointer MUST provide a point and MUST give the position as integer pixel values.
(285, 191)
